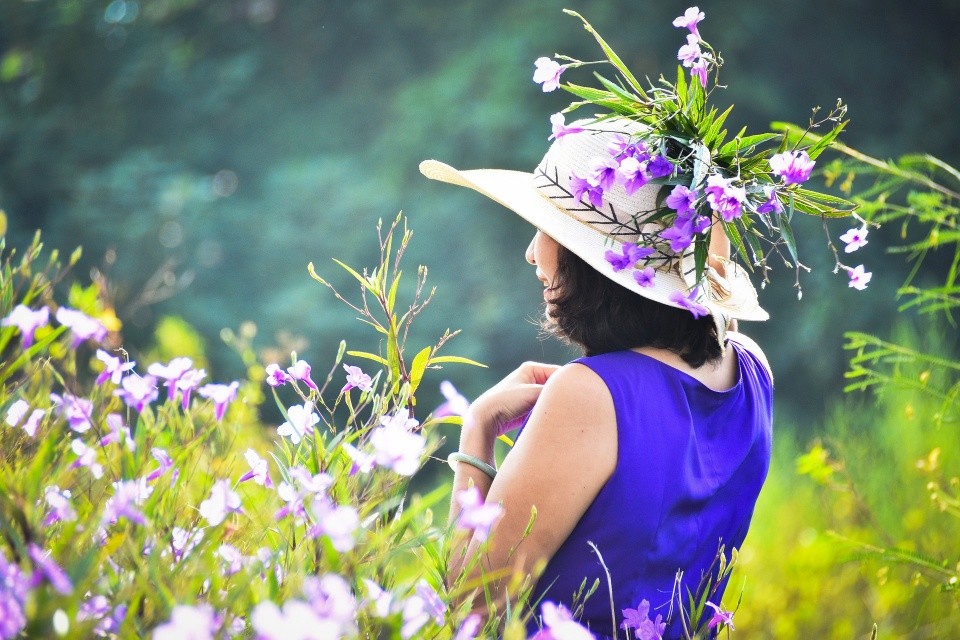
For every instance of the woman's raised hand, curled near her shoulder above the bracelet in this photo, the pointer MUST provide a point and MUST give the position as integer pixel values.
(504, 406)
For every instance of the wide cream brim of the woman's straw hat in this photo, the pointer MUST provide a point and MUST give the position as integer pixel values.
(516, 191)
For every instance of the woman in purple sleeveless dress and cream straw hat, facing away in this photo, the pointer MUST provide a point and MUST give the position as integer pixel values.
(647, 454)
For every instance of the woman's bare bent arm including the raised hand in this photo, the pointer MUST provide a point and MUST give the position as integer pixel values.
(567, 452)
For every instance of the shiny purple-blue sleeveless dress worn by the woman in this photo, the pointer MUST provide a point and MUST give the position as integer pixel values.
(690, 464)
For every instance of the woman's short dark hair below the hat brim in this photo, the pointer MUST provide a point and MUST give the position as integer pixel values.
(601, 316)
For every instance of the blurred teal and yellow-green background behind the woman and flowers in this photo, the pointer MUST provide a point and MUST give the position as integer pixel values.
(204, 151)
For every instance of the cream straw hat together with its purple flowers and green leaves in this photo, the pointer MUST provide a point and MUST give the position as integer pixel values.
(638, 188)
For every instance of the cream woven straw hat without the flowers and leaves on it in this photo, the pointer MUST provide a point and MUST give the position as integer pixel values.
(545, 198)
